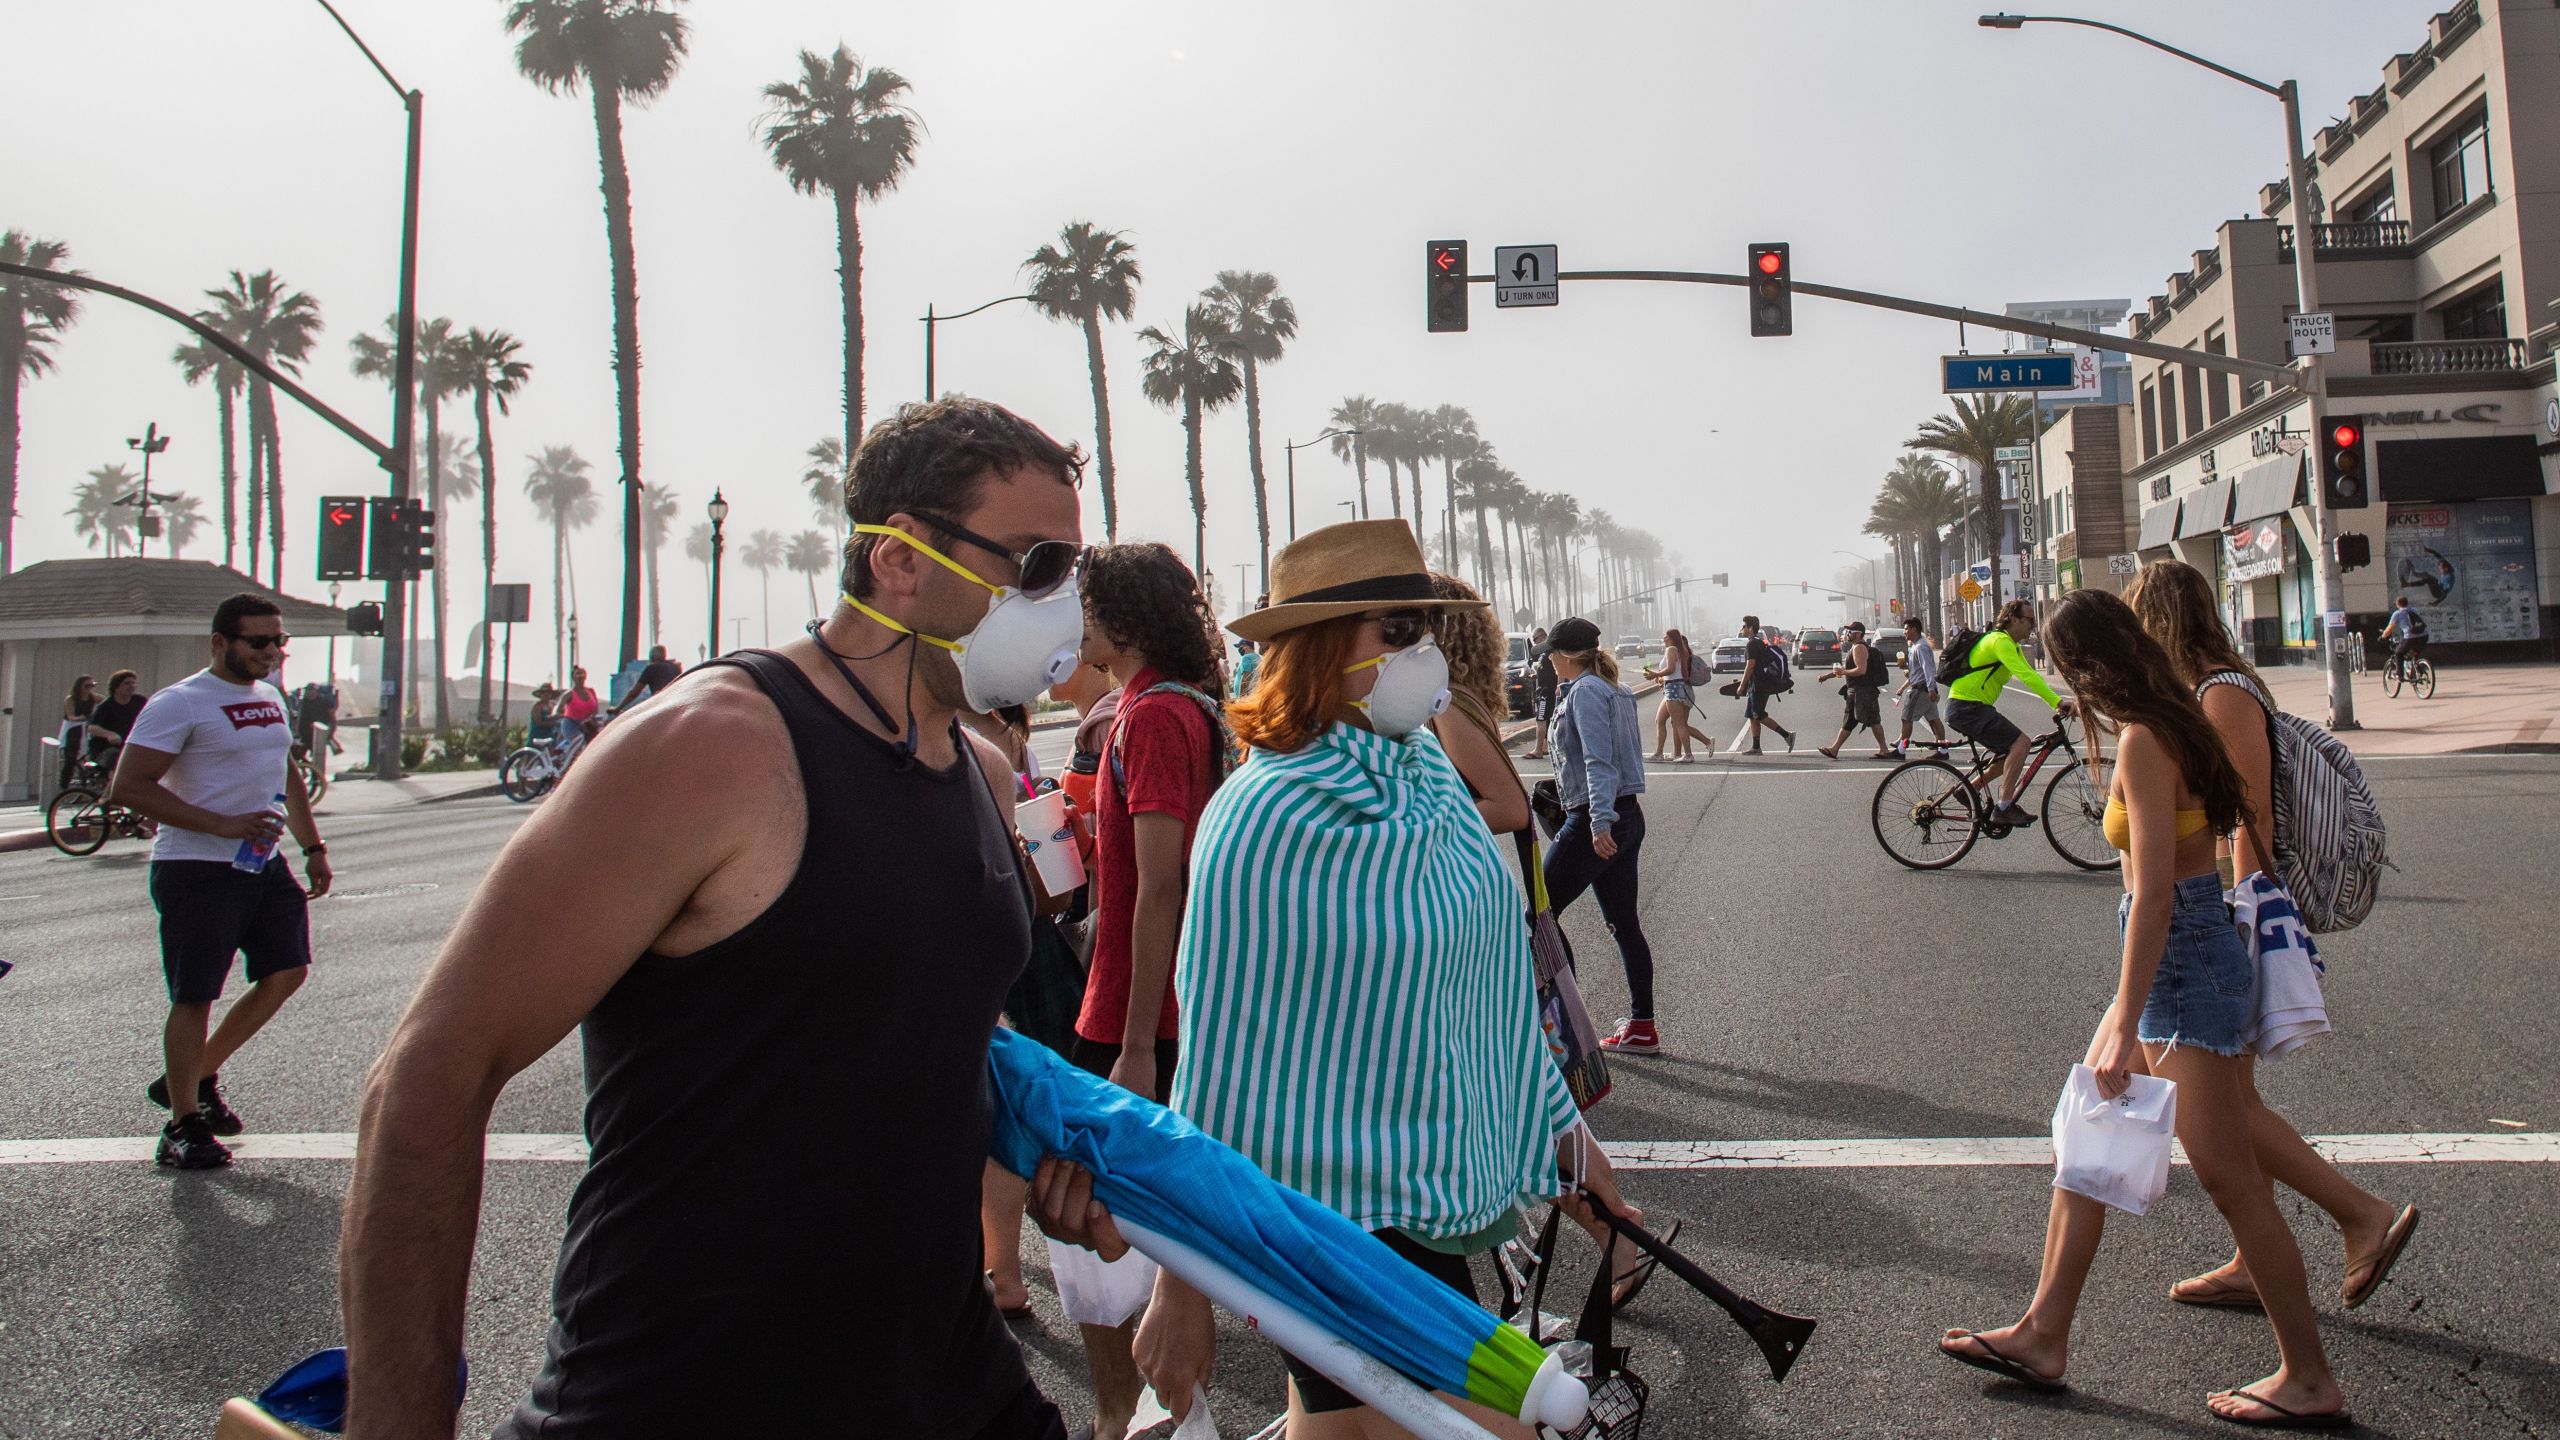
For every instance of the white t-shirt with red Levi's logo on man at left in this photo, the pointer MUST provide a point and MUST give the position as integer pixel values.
(232, 747)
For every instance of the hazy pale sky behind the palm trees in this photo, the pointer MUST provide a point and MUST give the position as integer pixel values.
(1891, 142)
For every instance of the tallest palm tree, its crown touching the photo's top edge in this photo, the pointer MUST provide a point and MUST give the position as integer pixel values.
(618, 50)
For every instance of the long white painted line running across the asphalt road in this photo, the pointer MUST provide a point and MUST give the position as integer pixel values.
(2541, 1147)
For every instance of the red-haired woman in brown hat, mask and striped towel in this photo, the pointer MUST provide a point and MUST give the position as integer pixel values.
(1356, 980)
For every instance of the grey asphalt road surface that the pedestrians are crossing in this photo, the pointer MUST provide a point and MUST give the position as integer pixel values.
(1809, 990)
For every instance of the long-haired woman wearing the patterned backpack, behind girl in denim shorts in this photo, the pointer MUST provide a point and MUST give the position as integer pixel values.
(2177, 609)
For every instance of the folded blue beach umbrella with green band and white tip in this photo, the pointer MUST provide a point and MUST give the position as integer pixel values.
(1164, 1177)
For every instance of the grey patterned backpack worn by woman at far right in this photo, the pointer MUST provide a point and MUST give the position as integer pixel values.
(2328, 829)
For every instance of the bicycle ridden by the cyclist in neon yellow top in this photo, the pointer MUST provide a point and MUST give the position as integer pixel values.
(1929, 814)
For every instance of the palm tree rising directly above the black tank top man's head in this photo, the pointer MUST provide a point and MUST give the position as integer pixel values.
(846, 132)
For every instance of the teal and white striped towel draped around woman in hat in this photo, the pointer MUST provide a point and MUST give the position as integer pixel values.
(1358, 990)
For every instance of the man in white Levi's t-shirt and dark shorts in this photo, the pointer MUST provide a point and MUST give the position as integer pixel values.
(206, 760)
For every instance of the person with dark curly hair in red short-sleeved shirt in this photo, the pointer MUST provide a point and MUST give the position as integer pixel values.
(1148, 624)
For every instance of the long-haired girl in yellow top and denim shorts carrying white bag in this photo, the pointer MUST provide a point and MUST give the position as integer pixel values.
(2182, 1008)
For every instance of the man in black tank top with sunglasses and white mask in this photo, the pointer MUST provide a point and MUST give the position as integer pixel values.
(782, 906)
